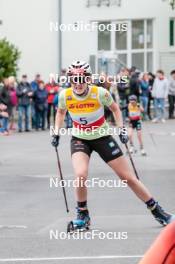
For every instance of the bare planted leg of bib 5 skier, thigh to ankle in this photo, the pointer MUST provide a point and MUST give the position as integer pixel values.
(80, 162)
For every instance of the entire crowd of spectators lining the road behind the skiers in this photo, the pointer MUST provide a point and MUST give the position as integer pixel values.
(26, 105)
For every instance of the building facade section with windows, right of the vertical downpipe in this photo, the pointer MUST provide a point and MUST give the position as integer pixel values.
(147, 44)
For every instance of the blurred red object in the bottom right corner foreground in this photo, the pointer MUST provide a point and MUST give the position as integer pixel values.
(162, 250)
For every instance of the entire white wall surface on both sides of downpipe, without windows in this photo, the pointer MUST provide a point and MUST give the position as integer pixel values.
(26, 24)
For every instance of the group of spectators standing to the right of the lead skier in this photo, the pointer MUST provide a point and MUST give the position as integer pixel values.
(154, 92)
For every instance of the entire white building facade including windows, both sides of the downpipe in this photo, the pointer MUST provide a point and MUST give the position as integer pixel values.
(33, 26)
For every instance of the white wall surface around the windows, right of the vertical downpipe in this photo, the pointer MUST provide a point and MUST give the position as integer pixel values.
(81, 45)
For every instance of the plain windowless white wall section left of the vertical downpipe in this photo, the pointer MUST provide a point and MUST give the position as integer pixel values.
(26, 24)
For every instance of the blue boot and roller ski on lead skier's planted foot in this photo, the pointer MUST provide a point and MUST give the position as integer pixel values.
(81, 223)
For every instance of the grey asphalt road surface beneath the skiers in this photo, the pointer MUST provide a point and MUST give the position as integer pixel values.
(32, 214)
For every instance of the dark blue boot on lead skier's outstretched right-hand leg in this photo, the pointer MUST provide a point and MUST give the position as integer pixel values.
(160, 215)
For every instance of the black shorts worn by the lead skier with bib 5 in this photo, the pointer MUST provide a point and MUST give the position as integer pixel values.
(106, 147)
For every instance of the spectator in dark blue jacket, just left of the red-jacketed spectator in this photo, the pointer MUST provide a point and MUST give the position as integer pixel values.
(40, 103)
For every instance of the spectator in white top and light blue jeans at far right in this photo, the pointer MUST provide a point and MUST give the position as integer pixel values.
(160, 93)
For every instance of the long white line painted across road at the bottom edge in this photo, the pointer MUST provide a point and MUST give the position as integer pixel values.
(70, 258)
